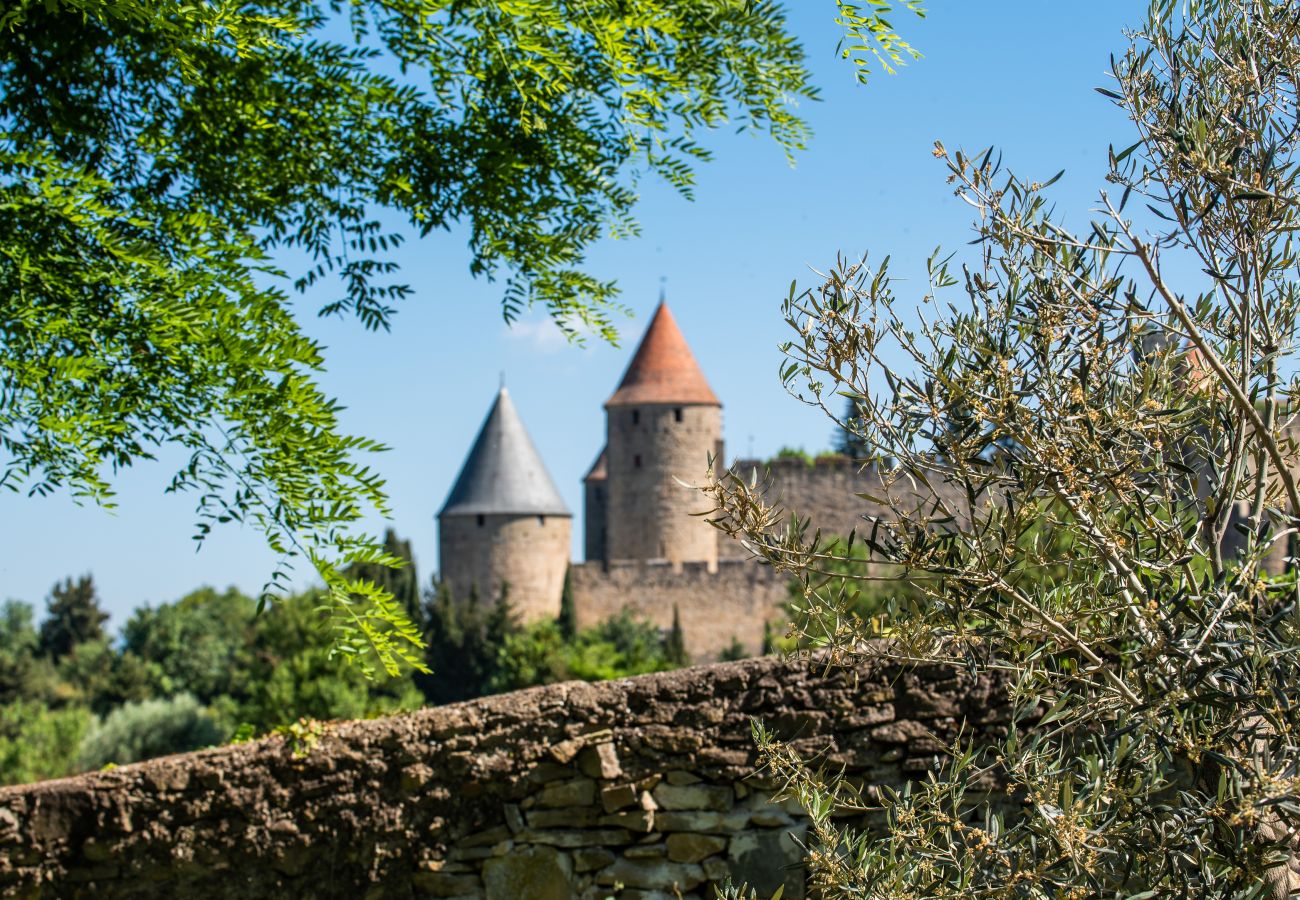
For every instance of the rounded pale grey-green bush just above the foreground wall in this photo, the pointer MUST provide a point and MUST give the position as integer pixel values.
(149, 729)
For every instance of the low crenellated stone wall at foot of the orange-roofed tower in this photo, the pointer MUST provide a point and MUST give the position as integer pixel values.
(717, 607)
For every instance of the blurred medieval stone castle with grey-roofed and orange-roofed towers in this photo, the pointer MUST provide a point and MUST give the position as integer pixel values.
(506, 523)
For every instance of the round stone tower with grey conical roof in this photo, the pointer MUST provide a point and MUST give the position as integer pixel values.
(505, 522)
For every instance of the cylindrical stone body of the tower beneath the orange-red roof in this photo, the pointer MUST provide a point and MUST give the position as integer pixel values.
(649, 512)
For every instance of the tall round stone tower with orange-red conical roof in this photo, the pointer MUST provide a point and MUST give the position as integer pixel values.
(661, 426)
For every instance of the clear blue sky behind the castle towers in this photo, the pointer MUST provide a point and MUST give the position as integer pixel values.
(1013, 73)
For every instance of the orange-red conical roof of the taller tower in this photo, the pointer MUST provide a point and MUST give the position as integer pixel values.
(664, 369)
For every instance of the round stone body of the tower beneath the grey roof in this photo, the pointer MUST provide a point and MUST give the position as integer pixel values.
(527, 552)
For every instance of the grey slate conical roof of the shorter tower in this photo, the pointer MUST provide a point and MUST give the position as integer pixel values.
(504, 473)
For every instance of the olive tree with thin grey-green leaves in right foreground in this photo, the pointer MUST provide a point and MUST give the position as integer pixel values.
(1091, 481)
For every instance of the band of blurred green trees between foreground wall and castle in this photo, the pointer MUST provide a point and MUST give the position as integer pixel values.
(207, 668)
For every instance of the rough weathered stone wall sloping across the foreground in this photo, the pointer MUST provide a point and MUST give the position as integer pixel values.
(632, 790)
